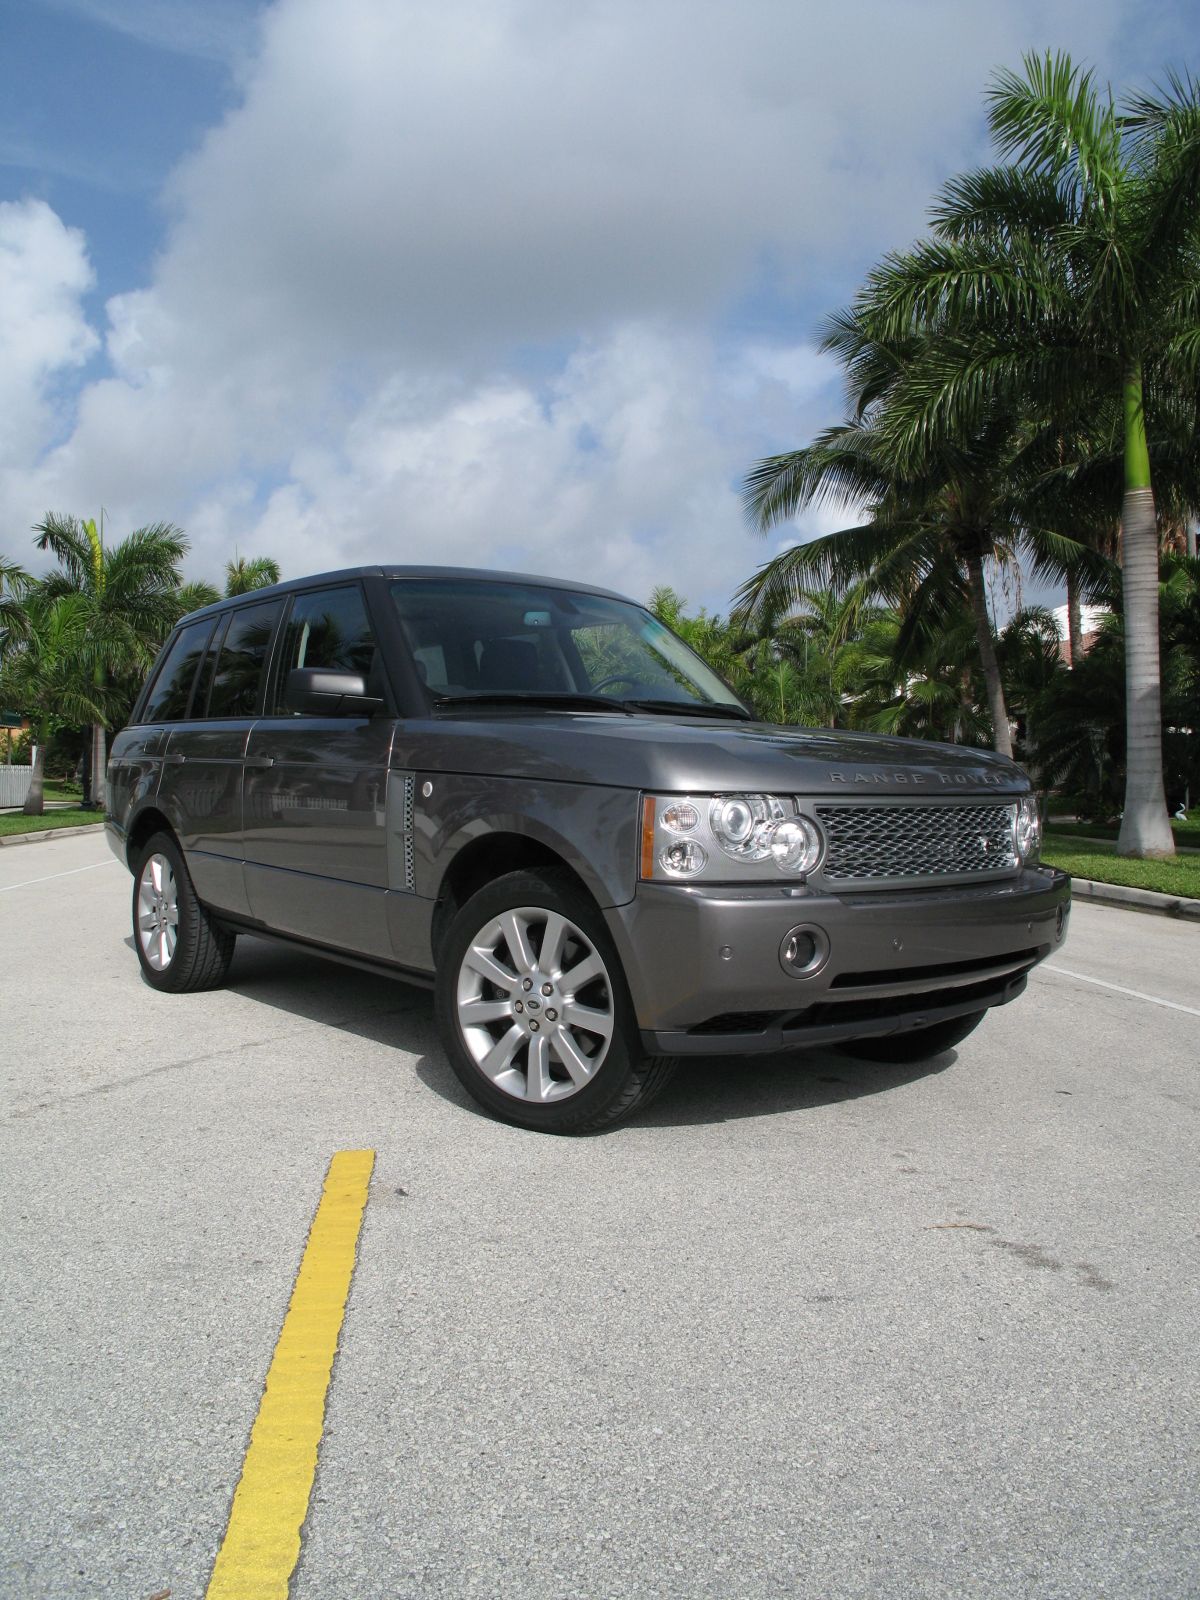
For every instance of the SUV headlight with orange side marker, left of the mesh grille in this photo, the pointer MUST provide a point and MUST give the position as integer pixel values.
(727, 838)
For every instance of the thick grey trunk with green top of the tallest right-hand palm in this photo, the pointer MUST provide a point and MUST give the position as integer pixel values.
(1146, 830)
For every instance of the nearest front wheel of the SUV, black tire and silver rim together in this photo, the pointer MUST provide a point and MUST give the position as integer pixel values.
(526, 1018)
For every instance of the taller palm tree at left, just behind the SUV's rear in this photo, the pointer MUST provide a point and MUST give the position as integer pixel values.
(130, 596)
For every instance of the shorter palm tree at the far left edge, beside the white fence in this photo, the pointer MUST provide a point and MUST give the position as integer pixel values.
(49, 678)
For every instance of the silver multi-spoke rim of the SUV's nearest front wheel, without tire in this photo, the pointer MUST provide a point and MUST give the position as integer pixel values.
(535, 1004)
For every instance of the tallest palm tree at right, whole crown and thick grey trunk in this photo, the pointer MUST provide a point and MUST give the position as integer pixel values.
(1071, 282)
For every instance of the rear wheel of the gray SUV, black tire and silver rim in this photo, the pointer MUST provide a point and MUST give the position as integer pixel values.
(180, 946)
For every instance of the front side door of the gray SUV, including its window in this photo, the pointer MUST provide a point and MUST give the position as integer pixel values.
(316, 788)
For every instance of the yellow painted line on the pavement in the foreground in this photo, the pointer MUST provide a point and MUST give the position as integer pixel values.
(262, 1545)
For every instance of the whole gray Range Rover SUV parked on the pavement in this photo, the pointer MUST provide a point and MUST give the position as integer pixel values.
(535, 799)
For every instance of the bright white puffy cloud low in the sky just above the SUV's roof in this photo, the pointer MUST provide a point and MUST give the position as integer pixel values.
(614, 471)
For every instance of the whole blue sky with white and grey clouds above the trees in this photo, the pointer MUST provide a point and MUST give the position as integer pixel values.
(502, 282)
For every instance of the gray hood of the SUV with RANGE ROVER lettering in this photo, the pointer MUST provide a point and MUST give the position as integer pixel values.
(692, 754)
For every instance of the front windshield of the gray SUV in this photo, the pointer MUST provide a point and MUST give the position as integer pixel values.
(476, 639)
